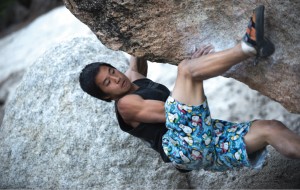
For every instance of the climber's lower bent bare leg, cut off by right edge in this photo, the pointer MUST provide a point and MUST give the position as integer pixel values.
(274, 133)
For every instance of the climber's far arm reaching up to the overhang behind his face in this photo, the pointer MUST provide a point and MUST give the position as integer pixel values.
(138, 68)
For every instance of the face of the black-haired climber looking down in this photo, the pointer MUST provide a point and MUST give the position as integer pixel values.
(113, 82)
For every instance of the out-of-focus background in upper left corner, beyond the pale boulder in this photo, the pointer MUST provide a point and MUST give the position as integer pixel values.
(26, 32)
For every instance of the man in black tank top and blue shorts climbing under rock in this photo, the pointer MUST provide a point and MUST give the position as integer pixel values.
(179, 126)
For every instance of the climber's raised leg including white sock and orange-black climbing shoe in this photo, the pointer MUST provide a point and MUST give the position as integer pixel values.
(188, 86)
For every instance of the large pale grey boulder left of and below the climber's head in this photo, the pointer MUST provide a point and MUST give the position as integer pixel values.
(55, 136)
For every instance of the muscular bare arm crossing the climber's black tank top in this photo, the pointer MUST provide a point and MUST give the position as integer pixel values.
(135, 109)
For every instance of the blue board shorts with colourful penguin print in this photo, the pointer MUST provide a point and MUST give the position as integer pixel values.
(194, 140)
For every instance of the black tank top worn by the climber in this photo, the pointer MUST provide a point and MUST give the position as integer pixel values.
(149, 132)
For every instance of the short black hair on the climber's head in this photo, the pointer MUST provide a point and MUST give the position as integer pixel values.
(87, 80)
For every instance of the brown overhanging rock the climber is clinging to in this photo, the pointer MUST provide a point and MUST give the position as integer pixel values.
(168, 31)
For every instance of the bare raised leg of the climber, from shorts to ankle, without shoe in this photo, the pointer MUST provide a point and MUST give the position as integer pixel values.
(188, 86)
